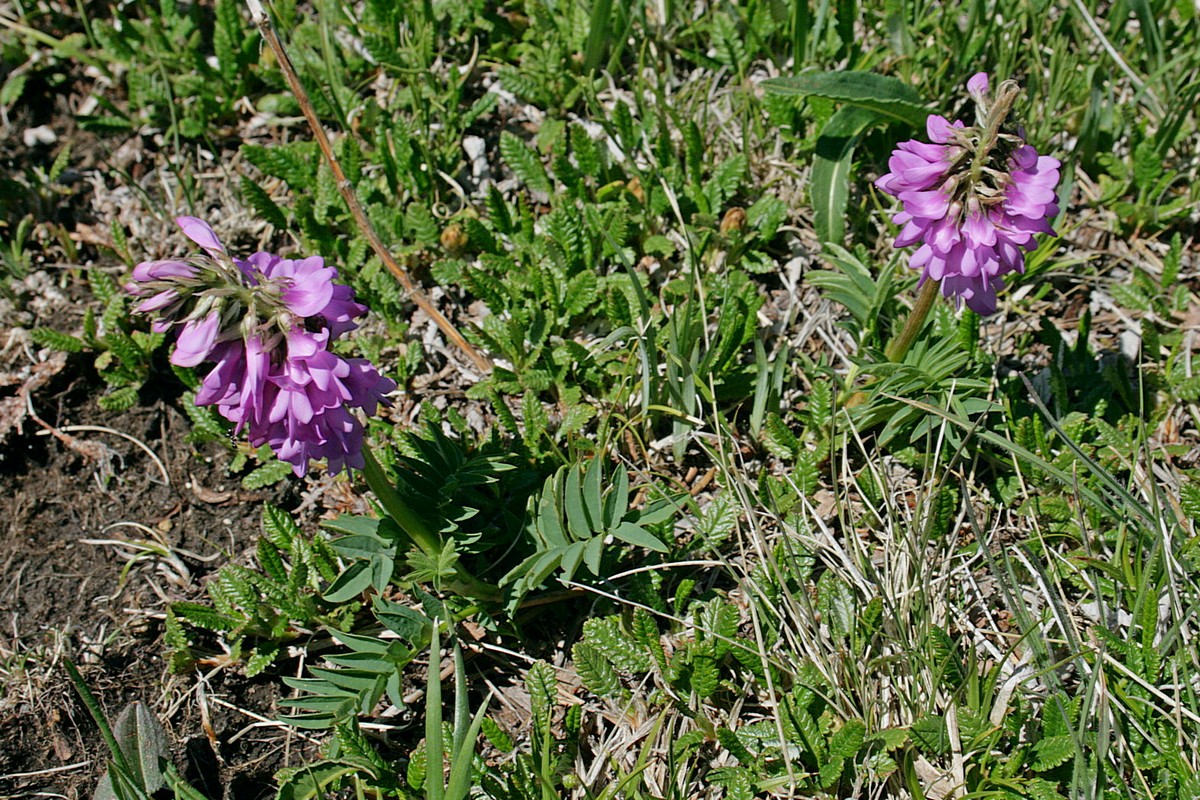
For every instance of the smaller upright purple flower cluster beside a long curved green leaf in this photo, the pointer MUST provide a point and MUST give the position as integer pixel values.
(974, 199)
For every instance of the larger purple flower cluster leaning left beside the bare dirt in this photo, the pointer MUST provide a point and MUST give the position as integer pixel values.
(267, 323)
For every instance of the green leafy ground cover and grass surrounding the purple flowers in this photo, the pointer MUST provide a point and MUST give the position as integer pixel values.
(729, 545)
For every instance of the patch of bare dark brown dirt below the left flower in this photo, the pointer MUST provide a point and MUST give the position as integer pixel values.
(62, 598)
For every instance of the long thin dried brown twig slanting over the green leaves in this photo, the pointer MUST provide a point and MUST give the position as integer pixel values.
(263, 22)
